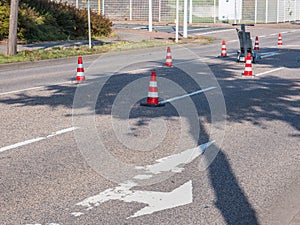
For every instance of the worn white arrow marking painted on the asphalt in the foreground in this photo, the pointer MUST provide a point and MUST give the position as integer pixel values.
(155, 201)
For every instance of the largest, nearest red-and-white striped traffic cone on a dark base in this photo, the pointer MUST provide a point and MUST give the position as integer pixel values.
(152, 99)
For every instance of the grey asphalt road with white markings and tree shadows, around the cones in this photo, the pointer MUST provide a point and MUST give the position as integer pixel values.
(90, 154)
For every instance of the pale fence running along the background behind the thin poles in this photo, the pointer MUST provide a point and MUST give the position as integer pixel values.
(209, 11)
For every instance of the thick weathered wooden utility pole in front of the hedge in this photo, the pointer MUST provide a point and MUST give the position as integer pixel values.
(13, 26)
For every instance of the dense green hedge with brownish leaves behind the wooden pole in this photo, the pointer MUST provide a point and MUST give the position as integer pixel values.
(43, 20)
